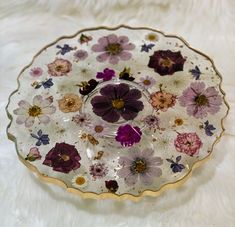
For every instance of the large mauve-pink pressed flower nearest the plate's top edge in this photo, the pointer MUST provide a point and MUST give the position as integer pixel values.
(113, 47)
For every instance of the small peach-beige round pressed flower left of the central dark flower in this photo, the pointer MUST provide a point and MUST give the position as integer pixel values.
(70, 103)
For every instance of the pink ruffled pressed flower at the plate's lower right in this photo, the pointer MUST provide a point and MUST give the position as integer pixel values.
(188, 143)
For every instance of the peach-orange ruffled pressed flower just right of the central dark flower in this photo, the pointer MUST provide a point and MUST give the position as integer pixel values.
(162, 100)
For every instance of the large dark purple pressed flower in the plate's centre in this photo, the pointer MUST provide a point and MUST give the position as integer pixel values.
(117, 100)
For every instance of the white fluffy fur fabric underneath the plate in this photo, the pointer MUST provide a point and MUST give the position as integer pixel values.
(206, 199)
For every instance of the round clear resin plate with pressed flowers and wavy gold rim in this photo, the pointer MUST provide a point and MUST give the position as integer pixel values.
(117, 112)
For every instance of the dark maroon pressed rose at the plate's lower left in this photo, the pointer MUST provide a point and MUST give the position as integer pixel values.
(63, 158)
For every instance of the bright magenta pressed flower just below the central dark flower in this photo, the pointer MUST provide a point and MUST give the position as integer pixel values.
(127, 135)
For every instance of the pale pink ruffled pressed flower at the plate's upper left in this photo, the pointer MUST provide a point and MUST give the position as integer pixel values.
(59, 67)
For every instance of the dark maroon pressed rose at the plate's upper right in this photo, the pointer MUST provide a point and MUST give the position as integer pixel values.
(166, 62)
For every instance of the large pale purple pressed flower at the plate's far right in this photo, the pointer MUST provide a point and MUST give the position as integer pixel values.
(200, 100)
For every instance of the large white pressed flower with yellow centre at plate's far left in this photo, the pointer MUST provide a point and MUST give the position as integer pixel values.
(40, 109)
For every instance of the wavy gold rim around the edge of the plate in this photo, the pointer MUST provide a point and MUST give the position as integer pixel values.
(107, 195)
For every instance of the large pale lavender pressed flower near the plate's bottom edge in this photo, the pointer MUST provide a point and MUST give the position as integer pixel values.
(140, 165)
